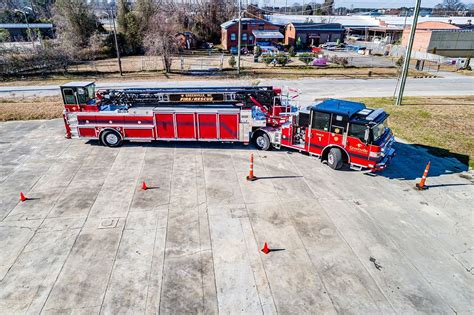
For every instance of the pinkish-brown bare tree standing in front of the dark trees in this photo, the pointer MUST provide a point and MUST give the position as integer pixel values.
(160, 37)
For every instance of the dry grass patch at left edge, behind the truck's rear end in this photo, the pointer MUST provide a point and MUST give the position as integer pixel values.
(31, 108)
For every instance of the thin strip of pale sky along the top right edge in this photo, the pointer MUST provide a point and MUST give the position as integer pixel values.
(362, 3)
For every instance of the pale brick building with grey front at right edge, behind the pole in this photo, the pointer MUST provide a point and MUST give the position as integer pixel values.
(444, 39)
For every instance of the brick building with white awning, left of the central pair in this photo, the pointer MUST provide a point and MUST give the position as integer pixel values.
(230, 31)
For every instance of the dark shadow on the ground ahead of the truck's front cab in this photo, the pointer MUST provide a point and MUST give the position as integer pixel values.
(411, 160)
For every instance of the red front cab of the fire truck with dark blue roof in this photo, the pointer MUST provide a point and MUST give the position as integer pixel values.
(348, 132)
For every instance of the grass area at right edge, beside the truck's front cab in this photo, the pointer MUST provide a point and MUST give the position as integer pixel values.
(446, 124)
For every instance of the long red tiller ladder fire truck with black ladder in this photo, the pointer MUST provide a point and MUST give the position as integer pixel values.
(337, 131)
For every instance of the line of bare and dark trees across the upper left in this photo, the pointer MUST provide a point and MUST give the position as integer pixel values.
(143, 26)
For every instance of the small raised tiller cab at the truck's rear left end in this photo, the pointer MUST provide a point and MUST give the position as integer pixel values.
(79, 96)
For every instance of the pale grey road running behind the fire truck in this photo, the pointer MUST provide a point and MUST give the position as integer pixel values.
(311, 88)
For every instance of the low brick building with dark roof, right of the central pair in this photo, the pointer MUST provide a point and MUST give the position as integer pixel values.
(312, 34)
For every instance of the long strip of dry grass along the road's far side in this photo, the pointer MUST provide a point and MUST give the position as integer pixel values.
(150, 68)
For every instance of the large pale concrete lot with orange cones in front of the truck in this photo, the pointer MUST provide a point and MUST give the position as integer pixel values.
(91, 241)
